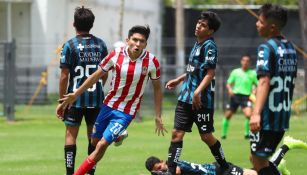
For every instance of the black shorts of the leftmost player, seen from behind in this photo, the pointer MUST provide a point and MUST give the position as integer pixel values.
(73, 116)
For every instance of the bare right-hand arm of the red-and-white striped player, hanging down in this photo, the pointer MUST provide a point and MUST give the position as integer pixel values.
(158, 102)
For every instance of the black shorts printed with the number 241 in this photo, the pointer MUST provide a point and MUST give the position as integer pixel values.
(185, 117)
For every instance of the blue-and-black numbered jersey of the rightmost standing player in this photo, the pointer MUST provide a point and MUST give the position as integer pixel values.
(277, 59)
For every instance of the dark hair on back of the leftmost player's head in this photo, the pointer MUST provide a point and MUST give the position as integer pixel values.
(83, 19)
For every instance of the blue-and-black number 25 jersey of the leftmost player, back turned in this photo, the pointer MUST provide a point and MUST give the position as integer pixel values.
(81, 55)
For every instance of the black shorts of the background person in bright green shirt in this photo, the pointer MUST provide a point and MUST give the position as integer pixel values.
(238, 100)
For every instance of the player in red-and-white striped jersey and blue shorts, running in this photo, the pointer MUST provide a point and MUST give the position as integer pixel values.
(131, 68)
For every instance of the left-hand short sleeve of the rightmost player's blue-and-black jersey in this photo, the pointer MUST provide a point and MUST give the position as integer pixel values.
(263, 56)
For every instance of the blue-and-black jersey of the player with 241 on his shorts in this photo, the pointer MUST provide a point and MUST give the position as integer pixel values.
(202, 57)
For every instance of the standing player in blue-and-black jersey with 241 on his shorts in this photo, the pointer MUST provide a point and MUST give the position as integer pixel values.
(196, 99)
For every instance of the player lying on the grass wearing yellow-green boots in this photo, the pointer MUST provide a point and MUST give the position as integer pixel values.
(157, 166)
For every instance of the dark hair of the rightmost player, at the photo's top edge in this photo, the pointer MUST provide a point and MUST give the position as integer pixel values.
(275, 14)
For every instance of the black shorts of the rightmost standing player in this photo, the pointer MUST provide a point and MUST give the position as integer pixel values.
(264, 143)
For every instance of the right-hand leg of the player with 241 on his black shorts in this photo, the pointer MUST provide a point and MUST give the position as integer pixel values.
(204, 121)
